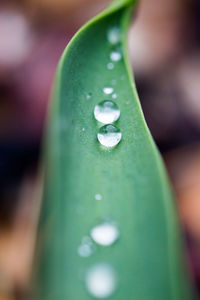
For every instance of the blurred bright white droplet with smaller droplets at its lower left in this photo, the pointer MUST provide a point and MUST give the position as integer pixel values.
(105, 234)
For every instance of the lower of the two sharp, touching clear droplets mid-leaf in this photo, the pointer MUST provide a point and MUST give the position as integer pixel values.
(109, 135)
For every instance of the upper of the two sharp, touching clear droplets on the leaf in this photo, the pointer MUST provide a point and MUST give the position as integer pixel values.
(106, 112)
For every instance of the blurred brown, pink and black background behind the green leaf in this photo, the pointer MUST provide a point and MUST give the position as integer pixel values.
(164, 43)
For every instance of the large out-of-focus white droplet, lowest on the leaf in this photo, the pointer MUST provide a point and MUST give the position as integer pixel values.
(101, 281)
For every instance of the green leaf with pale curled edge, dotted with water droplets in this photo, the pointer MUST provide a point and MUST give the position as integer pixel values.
(145, 261)
